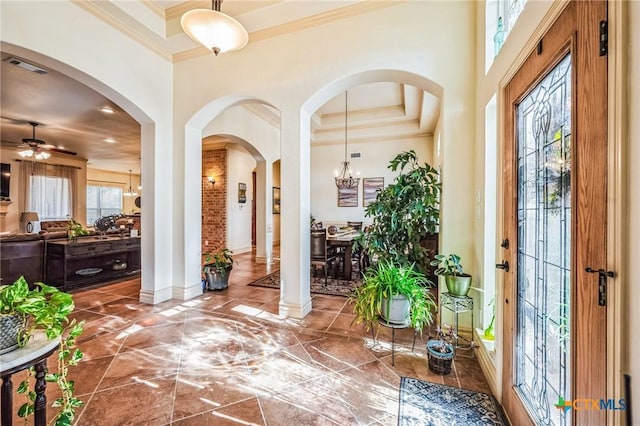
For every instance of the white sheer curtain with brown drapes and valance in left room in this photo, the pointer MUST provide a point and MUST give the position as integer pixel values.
(49, 190)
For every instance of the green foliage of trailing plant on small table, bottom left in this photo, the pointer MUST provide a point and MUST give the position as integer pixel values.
(44, 308)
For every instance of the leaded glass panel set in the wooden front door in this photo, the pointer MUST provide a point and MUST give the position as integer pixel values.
(543, 137)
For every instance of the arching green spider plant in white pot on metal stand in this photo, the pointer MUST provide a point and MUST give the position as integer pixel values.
(396, 293)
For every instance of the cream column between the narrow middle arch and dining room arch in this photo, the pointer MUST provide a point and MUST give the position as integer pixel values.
(295, 296)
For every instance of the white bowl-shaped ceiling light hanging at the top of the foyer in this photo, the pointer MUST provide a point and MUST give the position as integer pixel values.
(213, 29)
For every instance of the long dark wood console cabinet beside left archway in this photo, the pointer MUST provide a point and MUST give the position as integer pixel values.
(90, 260)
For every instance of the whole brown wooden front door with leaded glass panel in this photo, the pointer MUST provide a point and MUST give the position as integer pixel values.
(555, 199)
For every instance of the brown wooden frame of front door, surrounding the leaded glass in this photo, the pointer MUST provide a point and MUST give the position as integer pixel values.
(557, 40)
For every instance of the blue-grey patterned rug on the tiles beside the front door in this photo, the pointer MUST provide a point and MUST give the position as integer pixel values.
(425, 403)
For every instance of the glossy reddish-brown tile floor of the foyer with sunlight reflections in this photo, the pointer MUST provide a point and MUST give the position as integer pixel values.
(226, 358)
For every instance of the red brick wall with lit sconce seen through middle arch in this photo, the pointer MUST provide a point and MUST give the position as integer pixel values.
(214, 199)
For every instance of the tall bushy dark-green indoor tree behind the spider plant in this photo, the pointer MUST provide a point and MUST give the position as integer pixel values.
(404, 213)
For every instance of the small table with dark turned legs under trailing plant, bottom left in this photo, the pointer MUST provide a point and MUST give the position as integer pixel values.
(34, 354)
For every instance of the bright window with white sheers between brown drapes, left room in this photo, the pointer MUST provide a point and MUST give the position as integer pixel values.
(50, 196)
